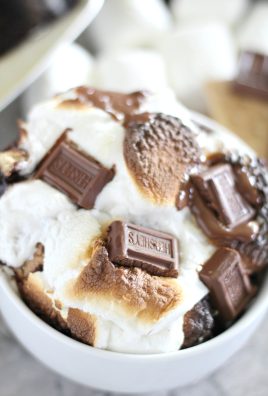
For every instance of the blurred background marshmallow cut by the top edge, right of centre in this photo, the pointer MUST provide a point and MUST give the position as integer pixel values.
(225, 11)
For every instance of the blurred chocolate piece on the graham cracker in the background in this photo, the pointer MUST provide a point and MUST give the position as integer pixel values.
(252, 75)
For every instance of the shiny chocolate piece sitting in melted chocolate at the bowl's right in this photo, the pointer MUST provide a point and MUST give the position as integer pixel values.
(217, 187)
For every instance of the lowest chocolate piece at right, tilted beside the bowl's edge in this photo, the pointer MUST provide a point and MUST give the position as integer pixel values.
(228, 283)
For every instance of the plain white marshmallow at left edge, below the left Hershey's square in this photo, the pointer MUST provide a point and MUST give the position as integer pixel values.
(24, 210)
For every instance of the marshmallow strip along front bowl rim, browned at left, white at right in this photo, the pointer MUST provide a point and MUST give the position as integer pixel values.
(94, 330)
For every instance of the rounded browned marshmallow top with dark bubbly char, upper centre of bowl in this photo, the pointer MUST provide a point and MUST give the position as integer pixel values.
(159, 154)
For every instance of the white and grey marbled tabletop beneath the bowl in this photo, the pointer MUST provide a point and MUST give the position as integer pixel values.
(246, 374)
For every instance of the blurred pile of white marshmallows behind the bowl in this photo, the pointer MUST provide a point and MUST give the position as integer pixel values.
(148, 45)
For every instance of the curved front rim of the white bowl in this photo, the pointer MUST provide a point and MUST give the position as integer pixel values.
(257, 308)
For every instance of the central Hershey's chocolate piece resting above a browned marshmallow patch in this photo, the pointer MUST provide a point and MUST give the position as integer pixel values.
(134, 246)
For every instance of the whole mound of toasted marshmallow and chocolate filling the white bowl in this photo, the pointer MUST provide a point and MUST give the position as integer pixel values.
(130, 227)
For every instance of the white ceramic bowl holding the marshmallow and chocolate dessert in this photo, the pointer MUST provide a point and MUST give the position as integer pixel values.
(119, 372)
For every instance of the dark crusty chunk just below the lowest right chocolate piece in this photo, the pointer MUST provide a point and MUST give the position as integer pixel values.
(198, 324)
